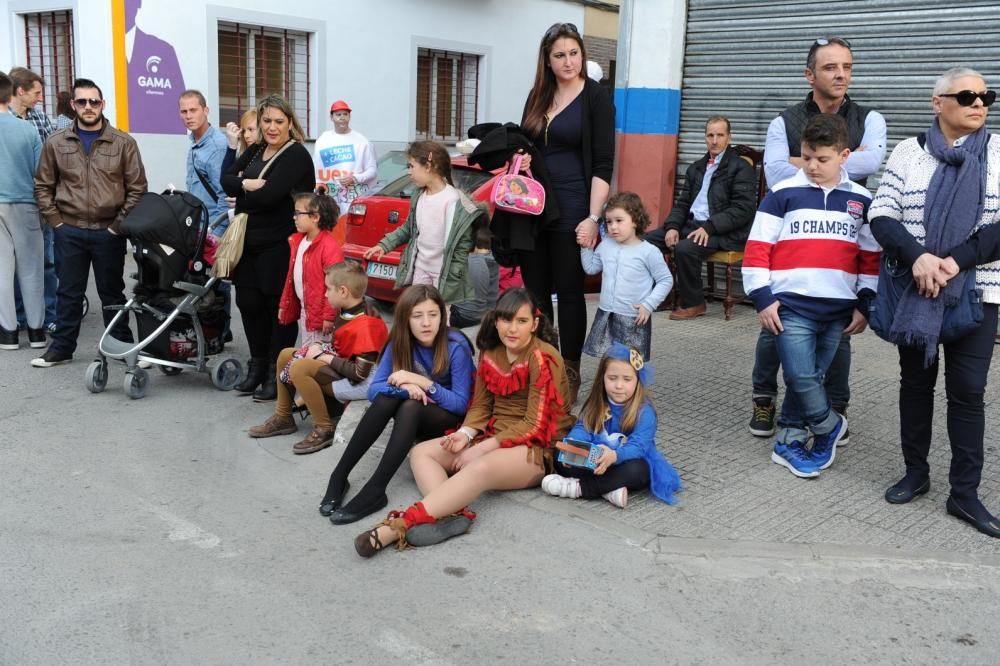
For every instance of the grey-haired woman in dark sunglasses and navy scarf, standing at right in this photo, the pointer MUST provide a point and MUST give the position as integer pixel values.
(937, 211)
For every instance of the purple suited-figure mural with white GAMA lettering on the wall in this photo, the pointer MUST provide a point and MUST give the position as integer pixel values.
(154, 79)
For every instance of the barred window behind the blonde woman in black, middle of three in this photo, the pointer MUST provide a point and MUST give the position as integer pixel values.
(256, 61)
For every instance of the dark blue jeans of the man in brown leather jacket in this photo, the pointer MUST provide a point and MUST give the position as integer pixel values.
(79, 250)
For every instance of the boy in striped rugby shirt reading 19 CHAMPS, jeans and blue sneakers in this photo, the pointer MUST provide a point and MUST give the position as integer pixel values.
(811, 267)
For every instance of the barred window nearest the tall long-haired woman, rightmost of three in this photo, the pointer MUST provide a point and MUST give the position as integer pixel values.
(447, 94)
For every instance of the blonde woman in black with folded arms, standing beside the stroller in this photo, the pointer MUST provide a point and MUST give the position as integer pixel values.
(259, 276)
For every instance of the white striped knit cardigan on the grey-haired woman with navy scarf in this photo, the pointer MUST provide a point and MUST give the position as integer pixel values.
(902, 193)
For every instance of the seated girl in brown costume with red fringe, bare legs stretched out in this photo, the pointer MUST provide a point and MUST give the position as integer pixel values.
(519, 410)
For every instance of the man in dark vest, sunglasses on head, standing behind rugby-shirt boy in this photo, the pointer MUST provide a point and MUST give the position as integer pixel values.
(829, 67)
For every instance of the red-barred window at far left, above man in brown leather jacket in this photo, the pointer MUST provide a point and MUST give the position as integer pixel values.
(48, 41)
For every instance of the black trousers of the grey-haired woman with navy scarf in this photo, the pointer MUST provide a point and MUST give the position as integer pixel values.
(967, 365)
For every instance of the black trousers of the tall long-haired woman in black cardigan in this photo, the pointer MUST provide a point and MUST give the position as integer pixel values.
(554, 267)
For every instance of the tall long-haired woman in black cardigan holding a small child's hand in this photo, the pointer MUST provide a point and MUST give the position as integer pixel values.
(570, 119)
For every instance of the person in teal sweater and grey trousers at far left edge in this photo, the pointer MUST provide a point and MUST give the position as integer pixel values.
(21, 253)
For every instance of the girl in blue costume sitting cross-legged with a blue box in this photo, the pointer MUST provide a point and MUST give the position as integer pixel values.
(620, 419)
